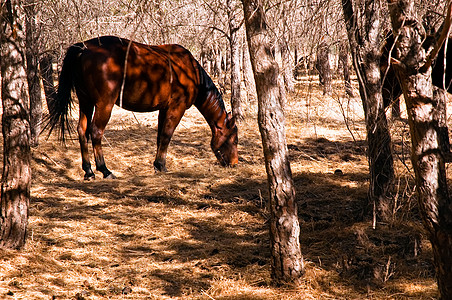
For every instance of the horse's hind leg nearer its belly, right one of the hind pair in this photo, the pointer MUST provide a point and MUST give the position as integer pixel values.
(100, 120)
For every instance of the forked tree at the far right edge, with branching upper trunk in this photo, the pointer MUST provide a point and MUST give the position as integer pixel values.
(412, 62)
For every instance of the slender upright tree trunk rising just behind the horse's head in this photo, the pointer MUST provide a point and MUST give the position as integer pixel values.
(234, 26)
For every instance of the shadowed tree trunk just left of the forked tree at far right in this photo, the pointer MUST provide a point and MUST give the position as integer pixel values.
(365, 48)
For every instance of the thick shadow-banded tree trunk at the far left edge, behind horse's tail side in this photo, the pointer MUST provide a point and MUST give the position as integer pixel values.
(15, 190)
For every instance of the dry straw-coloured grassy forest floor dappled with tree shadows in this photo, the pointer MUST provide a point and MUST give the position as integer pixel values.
(200, 231)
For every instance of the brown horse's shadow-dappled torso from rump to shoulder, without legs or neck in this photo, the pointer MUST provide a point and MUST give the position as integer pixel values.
(152, 77)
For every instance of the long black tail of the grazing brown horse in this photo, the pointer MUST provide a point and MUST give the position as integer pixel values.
(60, 104)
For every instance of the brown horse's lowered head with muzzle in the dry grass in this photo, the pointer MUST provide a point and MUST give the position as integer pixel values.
(224, 142)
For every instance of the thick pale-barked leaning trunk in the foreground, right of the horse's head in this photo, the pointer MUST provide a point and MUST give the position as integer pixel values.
(287, 262)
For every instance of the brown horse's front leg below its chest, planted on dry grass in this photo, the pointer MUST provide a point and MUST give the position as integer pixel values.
(168, 121)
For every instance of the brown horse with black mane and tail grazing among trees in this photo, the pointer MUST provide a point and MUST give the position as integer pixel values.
(109, 70)
